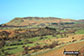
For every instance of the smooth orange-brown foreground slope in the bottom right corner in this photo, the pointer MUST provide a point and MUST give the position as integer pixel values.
(59, 52)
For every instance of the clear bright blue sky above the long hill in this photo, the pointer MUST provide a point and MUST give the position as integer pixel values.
(9, 9)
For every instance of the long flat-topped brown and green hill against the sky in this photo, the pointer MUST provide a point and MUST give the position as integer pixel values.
(25, 21)
